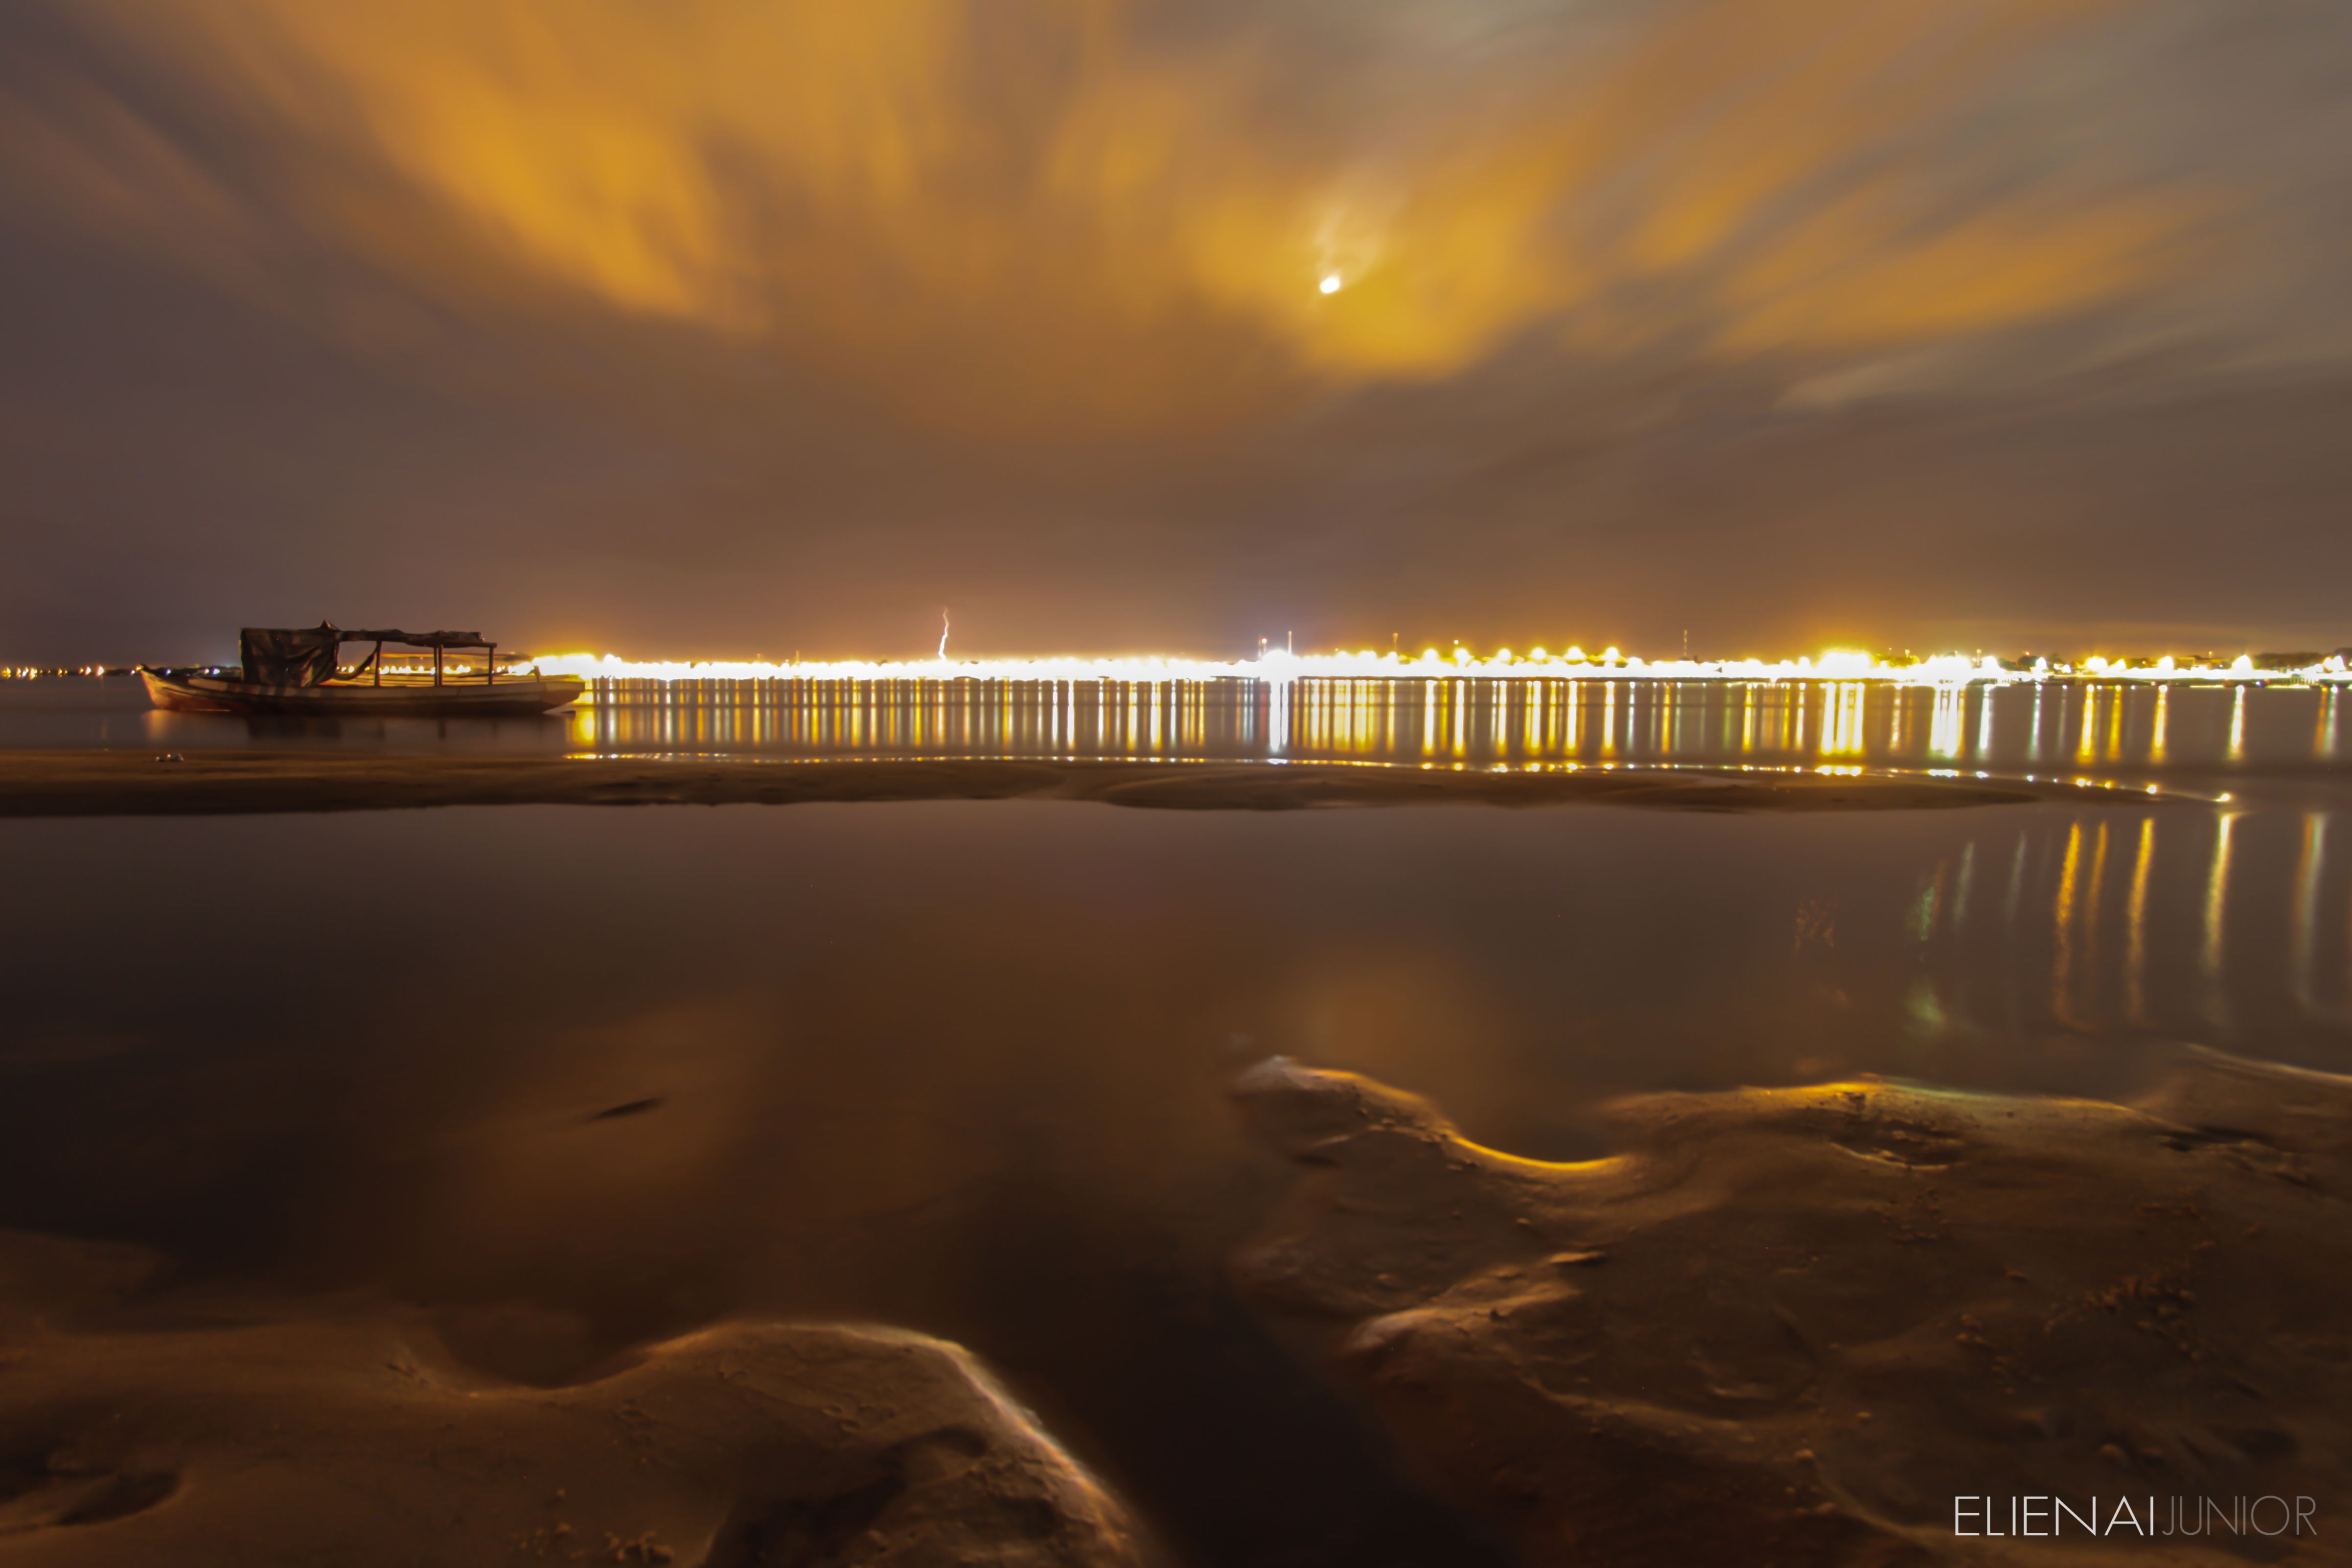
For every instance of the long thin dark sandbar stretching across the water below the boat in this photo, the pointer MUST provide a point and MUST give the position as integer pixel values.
(213, 784)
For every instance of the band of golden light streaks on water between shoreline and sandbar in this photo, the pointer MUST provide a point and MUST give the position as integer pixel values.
(2052, 728)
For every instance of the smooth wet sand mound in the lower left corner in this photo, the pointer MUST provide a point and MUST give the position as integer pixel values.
(352, 1438)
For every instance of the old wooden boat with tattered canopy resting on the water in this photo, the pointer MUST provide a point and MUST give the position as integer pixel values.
(298, 671)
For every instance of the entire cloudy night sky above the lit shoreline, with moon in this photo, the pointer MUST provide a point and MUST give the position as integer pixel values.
(733, 328)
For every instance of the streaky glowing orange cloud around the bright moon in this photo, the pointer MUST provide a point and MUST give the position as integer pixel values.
(1034, 220)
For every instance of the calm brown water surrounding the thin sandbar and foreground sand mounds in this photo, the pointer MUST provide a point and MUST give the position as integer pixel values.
(963, 1064)
